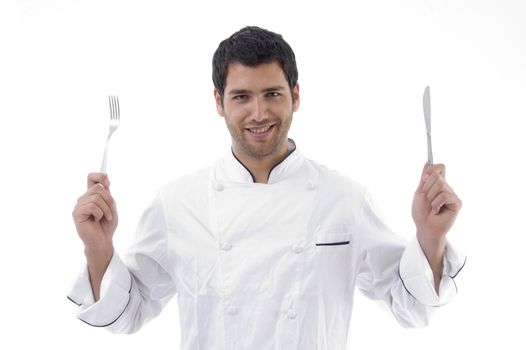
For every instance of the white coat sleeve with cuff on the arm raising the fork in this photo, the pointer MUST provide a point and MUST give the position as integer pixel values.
(135, 288)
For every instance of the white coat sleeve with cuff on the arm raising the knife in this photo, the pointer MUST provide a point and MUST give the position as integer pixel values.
(397, 273)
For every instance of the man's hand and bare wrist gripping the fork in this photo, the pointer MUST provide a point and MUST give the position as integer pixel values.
(96, 219)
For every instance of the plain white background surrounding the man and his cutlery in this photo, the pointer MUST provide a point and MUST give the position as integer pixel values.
(363, 66)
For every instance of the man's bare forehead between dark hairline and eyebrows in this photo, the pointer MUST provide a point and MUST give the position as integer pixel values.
(240, 76)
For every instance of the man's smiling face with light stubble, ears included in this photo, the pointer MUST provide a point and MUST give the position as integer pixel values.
(257, 106)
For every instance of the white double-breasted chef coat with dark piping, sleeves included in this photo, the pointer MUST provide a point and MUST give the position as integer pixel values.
(264, 266)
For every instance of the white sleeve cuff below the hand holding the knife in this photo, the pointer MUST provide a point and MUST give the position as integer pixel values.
(417, 277)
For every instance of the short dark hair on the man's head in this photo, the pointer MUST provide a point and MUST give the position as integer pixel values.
(252, 46)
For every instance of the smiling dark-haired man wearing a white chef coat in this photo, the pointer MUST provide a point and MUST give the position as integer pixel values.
(264, 248)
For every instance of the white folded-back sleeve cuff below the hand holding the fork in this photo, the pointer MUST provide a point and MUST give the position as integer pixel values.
(114, 295)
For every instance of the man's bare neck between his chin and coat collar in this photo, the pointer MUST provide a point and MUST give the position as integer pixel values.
(260, 167)
